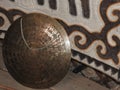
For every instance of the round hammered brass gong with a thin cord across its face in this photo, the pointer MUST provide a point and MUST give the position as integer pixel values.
(37, 51)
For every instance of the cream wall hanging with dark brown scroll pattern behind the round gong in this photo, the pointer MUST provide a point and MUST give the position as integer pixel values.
(93, 26)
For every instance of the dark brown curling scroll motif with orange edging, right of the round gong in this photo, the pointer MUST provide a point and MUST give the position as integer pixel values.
(110, 52)
